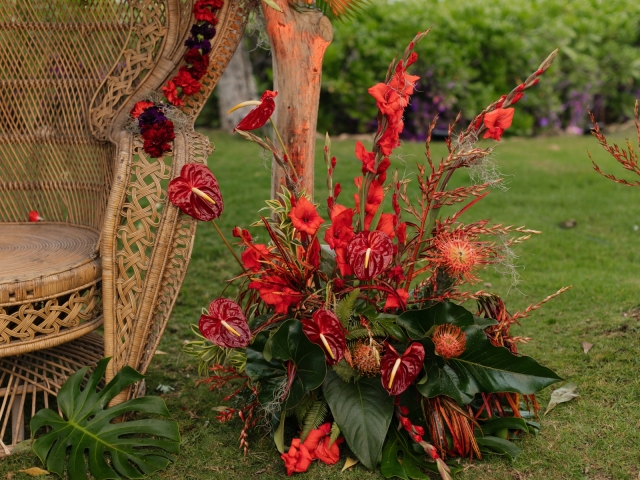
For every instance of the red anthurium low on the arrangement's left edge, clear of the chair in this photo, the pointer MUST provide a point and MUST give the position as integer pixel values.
(225, 325)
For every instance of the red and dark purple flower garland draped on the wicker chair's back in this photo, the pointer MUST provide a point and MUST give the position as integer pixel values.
(156, 129)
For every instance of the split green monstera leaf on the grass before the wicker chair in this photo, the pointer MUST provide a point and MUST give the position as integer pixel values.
(130, 449)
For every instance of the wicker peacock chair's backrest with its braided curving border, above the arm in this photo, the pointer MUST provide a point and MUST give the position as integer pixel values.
(70, 70)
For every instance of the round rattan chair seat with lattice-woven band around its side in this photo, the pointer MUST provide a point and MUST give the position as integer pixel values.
(49, 285)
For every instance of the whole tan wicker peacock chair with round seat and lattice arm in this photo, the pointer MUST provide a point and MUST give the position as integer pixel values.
(112, 252)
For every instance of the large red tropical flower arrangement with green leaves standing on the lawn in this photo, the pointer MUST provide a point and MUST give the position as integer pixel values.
(364, 340)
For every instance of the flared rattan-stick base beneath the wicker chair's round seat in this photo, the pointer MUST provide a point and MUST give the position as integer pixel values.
(30, 381)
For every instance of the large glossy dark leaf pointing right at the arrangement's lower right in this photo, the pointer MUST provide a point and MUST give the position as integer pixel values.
(481, 368)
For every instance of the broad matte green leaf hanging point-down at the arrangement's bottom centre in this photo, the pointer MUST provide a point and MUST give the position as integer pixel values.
(363, 412)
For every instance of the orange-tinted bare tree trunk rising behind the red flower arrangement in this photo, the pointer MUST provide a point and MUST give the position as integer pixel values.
(298, 43)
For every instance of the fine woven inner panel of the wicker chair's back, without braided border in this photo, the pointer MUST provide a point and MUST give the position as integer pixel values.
(53, 57)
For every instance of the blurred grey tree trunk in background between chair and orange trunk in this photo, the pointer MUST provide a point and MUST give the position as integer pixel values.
(236, 85)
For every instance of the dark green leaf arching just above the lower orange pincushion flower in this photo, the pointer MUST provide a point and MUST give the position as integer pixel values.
(420, 323)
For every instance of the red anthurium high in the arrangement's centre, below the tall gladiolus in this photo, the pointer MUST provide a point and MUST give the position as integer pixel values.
(369, 254)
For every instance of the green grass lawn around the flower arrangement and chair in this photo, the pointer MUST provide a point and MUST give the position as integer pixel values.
(550, 181)
